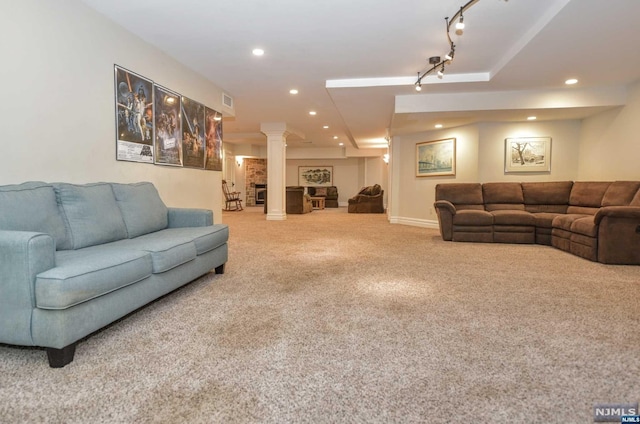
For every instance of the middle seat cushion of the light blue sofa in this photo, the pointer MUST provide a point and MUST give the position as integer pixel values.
(167, 252)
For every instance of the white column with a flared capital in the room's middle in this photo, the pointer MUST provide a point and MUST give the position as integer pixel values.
(276, 133)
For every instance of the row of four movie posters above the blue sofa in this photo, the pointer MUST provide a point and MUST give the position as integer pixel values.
(157, 125)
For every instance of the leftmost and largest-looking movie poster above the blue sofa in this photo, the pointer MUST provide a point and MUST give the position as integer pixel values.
(134, 116)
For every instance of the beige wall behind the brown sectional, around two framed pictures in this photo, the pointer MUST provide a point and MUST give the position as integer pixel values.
(480, 158)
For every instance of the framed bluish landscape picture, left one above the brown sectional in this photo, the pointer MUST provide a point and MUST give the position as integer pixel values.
(436, 158)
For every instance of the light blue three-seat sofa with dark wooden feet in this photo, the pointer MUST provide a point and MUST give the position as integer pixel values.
(75, 258)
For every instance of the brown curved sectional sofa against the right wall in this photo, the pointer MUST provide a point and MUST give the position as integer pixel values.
(599, 221)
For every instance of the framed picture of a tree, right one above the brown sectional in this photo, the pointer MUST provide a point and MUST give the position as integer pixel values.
(527, 154)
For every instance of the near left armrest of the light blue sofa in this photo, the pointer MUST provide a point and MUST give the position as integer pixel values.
(23, 255)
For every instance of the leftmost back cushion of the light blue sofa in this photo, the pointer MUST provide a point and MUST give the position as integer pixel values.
(32, 206)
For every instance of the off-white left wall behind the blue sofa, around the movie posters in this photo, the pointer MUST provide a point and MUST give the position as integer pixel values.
(58, 110)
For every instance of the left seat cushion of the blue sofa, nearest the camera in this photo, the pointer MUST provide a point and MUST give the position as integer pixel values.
(84, 274)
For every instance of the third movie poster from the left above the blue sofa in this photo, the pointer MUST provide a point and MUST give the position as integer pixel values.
(192, 133)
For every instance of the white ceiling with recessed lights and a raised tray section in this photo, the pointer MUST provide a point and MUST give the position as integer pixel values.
(342, 55)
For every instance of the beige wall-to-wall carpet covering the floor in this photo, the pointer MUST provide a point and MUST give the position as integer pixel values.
(332, 317)
